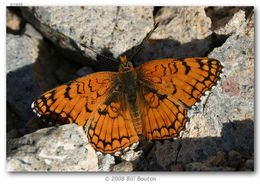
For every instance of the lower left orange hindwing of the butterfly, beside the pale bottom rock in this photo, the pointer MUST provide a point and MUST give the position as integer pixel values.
(111, 128)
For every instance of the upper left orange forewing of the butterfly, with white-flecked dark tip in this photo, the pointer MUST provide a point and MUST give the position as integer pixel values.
(75, 101)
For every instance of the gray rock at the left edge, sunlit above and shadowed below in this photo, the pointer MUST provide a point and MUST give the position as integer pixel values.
(22, 88)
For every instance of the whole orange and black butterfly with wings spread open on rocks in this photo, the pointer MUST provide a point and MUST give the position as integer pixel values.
(116, 107)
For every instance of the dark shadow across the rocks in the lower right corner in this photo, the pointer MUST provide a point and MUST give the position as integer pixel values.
(229, 152)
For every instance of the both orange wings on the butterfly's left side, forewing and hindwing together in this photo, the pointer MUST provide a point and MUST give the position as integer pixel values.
(90, 102)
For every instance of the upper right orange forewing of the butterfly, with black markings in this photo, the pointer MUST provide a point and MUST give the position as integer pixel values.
(185, 80)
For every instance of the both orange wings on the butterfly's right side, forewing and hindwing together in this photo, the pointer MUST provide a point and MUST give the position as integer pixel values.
(169, 87)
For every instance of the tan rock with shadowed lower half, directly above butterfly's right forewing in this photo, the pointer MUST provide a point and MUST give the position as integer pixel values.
(183, 32)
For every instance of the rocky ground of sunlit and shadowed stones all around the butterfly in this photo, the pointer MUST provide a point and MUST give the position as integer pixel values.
(43, 51)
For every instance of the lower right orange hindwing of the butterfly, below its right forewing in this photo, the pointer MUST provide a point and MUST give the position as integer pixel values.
(162, 117)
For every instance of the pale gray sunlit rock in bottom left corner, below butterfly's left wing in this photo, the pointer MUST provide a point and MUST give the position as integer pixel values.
(63, 148)
